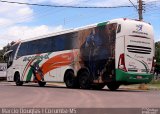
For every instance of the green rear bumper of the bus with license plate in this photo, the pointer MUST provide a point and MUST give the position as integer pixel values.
(132, 78)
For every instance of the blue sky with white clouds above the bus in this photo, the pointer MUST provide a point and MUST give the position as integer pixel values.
(19, 22)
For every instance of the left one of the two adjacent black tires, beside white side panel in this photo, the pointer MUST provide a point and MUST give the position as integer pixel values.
(70, 80)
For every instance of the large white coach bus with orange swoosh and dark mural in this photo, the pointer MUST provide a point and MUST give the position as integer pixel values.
(113, 53)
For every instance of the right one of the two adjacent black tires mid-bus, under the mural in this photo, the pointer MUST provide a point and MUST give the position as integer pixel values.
(84, 80)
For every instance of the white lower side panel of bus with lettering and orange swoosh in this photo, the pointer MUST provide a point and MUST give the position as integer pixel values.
(53, 65)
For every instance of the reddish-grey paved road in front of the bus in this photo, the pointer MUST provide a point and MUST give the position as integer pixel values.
(31, 95)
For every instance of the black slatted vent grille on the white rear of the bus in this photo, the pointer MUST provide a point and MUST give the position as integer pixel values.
(139, 49)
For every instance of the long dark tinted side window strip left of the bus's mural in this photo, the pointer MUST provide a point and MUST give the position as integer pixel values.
(50, 44)
